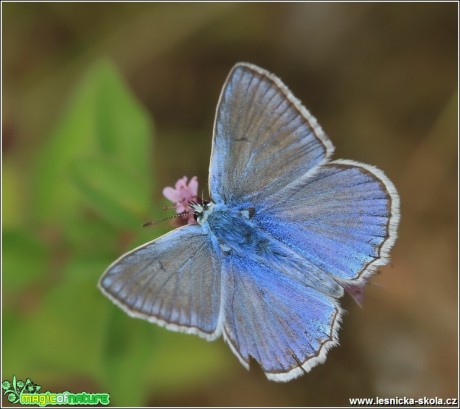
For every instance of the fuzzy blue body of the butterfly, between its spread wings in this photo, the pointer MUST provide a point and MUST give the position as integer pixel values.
(241, 239)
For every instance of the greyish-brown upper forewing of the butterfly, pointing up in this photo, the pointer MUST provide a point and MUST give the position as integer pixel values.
(263, 138)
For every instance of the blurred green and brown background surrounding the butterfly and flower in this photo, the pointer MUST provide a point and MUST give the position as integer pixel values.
(105, 104)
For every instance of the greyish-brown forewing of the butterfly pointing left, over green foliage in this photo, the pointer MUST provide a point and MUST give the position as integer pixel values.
(173, 281)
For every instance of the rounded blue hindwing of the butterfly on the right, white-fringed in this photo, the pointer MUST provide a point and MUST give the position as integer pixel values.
(342, 219)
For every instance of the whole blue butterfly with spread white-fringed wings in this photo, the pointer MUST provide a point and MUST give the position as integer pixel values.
(285, 231)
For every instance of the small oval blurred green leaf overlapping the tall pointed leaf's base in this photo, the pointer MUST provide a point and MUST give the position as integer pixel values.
(115, 191)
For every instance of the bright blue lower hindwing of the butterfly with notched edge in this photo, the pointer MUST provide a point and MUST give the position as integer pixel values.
(285, 325)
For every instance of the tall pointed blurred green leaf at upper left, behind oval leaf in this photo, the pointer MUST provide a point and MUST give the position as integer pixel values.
(102, 117)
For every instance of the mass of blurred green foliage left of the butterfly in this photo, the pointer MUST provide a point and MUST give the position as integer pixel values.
(92, 189)
